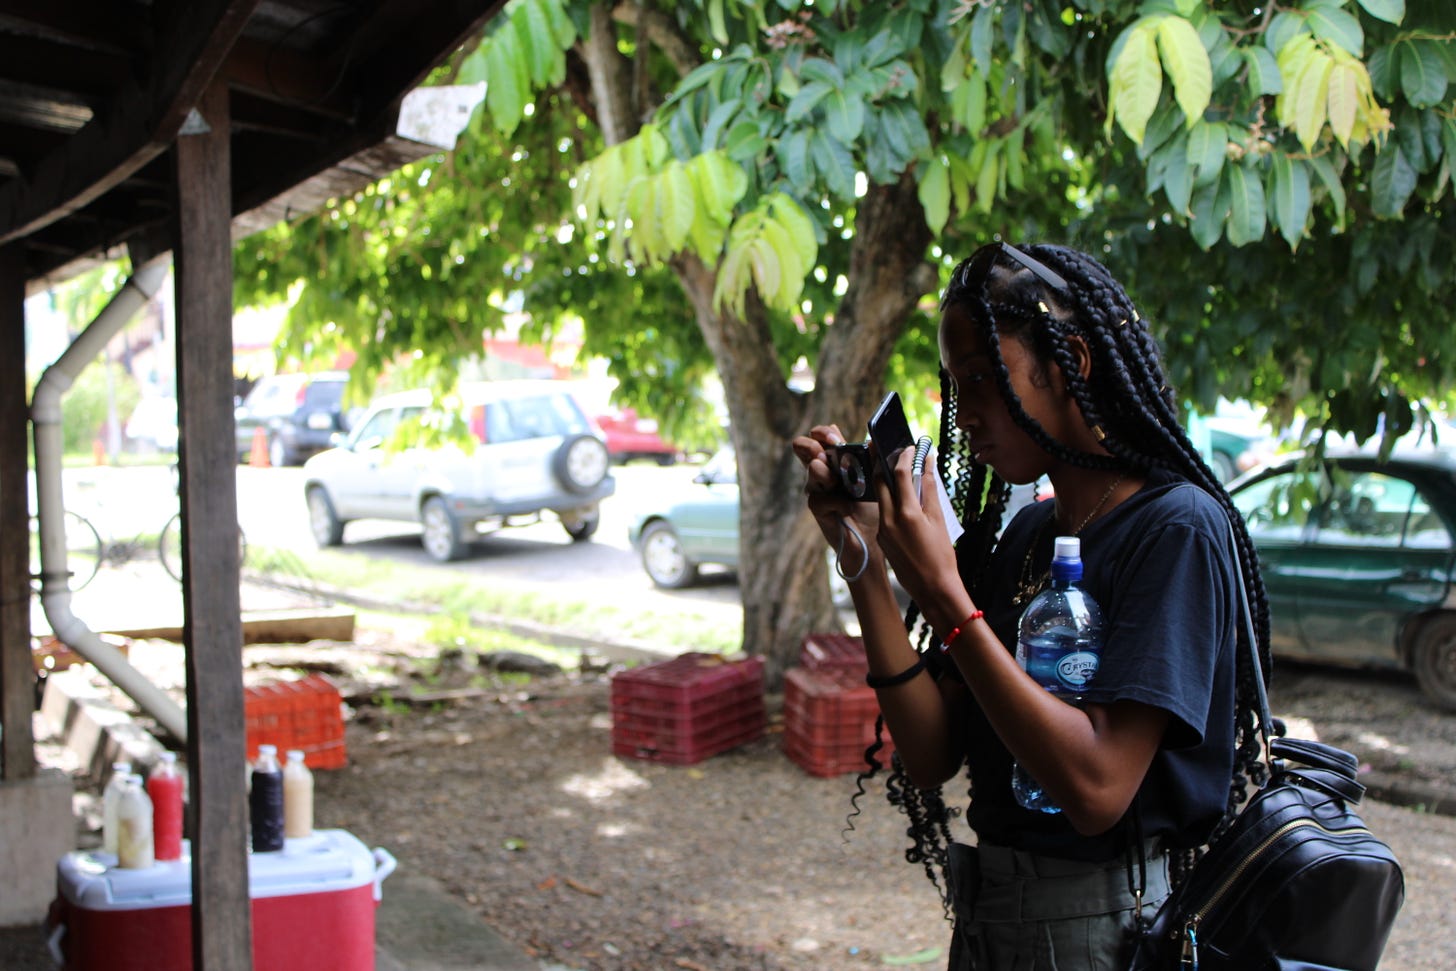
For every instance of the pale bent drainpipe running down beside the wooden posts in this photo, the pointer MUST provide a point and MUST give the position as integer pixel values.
(46, 419)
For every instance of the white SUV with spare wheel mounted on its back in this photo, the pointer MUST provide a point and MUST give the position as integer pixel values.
(535, 452)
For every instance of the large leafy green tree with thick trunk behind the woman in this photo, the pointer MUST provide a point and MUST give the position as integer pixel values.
(804, 174)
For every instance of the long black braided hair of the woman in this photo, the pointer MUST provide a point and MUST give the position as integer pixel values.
(1131, 410)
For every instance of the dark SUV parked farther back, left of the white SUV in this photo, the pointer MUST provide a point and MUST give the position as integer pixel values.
(301, 414)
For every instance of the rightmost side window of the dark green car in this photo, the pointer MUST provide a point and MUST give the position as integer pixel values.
(1374, 509)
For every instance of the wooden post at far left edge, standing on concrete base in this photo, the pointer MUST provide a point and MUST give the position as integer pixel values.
(17, 672)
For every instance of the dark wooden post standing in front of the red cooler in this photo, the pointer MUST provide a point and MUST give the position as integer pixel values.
(212, 609)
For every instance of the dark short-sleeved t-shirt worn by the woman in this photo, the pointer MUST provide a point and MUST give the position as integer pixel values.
(1161, 566)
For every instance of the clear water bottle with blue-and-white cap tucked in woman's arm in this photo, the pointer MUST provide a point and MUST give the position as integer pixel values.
(1059, 644)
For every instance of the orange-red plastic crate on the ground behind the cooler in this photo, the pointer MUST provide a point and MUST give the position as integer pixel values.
(306, 716)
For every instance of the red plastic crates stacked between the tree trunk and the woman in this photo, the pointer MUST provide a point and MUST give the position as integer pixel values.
(829, 713)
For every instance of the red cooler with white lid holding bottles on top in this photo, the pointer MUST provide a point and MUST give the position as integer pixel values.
(314, 909)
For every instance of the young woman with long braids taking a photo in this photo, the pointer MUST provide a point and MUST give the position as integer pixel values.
(1048, 370)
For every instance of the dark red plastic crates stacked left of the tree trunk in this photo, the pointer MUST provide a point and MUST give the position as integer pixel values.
(687, 710)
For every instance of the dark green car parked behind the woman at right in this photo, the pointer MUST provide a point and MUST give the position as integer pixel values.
(1359, 558)
